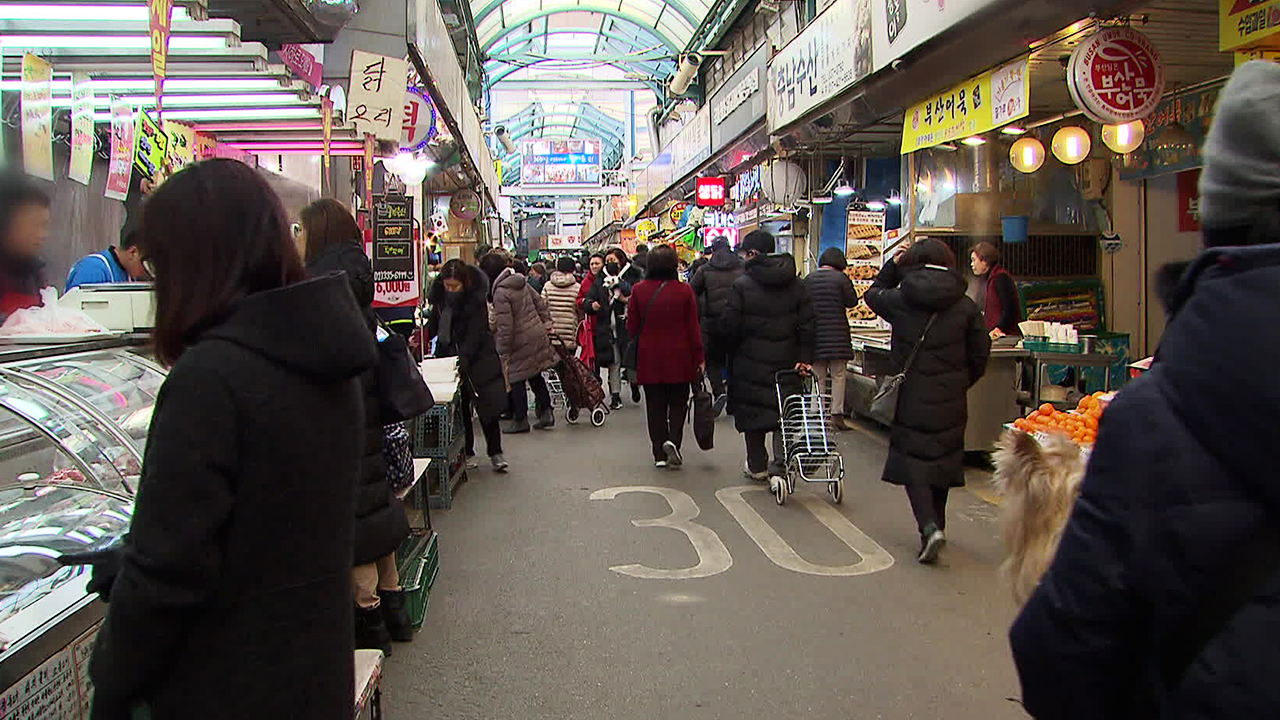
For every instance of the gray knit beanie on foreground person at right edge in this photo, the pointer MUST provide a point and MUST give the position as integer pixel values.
(1241, 183)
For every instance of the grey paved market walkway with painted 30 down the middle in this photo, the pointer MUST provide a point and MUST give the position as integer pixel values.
(554, 604)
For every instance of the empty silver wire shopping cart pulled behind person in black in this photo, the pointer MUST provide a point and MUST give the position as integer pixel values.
(808, 438)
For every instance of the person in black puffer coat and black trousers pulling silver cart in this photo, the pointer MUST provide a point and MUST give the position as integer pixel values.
(769, 327)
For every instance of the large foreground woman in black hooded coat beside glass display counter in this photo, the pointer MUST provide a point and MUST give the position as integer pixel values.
(234, 596)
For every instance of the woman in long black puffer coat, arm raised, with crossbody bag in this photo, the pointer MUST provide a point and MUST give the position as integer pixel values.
(926, 452)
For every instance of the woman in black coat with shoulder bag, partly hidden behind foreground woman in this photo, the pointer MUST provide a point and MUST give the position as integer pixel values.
(331, 239)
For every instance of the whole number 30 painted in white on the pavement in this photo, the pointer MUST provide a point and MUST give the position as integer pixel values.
(714, 558)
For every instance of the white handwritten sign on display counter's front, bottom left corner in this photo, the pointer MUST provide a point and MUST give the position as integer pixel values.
(58, 690)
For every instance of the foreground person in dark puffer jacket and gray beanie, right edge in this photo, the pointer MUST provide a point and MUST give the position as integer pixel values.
(1164, 598)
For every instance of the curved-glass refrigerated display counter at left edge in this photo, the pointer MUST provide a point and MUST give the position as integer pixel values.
(74, 429)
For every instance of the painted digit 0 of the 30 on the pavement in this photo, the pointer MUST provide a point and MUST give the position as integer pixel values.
(874, 558)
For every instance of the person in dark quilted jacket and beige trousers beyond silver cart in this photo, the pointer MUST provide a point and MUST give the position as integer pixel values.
(833, 294)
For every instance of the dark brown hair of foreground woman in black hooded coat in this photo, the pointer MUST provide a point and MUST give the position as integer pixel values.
(214, 234)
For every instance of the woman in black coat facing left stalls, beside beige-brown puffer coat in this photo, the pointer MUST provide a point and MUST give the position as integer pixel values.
(459, 322)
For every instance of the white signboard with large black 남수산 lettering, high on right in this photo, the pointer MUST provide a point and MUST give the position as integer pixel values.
(829, 57)
